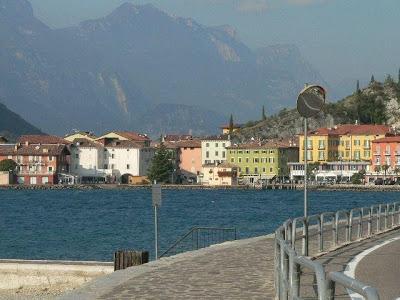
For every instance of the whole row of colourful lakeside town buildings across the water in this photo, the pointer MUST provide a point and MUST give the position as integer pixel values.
(350, 153)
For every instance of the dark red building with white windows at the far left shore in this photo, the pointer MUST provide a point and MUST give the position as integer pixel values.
(40, 159)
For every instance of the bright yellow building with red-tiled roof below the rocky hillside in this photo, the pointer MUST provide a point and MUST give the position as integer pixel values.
(342, 142)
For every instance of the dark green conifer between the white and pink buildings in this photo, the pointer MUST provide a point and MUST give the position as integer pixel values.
(161, 168)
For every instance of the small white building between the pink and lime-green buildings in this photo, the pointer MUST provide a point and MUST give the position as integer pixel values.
(213, 149)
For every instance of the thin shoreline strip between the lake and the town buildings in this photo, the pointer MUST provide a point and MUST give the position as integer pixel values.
(299, 187)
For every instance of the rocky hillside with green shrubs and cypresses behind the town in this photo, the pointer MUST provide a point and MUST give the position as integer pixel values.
(378, 103)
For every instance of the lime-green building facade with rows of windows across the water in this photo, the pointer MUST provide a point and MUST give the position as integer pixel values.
(257, 161)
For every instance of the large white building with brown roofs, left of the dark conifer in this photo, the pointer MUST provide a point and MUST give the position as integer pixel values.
(109, 160)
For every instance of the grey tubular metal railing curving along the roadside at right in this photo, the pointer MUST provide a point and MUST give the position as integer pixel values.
(298, 240)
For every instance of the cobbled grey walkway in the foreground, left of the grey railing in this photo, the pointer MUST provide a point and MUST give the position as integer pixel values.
(233, 270)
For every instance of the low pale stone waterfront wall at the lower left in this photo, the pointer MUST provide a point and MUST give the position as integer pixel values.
(19, 274)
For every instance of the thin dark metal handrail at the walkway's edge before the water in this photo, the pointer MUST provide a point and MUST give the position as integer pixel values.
(201, 237)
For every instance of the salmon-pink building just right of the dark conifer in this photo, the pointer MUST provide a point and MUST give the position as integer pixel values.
(189, 152)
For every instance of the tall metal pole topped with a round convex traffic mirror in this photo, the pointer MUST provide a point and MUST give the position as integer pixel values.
(310, 102)
